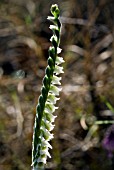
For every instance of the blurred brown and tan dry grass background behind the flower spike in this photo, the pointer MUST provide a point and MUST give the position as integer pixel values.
(87, 40)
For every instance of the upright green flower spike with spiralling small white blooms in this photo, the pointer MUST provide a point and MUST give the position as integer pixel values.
(44, 120)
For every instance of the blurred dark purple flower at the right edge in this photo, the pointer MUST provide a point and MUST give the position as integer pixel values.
(108, 141)
